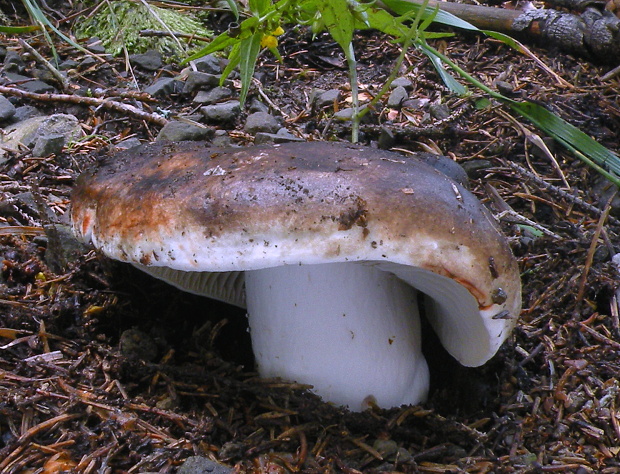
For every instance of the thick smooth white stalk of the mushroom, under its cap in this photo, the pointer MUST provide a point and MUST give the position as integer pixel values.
(349, 329)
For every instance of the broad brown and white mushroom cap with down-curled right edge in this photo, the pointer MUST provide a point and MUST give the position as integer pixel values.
(192, 208)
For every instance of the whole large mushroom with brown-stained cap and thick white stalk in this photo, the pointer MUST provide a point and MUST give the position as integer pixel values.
(326, 244)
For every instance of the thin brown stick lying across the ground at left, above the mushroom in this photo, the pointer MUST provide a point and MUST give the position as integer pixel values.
(89, 101)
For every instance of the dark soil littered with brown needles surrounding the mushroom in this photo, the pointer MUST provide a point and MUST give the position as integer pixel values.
(103, 369)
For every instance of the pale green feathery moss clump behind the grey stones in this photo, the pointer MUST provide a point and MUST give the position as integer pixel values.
(119, 23)
